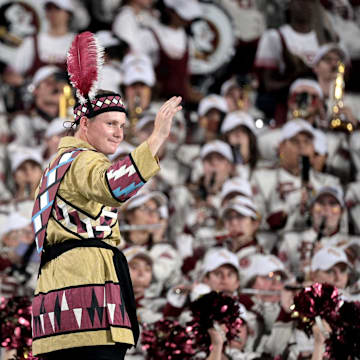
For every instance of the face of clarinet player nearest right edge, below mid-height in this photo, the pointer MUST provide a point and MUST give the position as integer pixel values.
(326, 208)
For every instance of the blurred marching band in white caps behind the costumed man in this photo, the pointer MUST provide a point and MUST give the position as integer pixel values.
(259, 191)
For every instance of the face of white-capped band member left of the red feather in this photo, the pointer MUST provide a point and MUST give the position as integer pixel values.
(47, 95)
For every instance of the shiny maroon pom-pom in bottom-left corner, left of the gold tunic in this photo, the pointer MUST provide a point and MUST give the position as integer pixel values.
(15, 326)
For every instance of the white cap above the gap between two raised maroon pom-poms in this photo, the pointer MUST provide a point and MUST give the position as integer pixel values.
(259, 265)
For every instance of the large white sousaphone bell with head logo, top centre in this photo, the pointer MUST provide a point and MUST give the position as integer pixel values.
(212, 41)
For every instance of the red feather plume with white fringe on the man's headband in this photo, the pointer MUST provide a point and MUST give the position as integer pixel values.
(84, 61)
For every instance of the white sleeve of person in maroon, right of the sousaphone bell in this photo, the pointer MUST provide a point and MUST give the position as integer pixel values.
(269, 51)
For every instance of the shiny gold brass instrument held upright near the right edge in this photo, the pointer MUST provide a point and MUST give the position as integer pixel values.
(338, 120)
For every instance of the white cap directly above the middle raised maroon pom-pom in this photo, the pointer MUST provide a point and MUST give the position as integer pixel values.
(217, 257)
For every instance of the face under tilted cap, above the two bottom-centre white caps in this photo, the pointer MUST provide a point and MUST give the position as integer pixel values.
(236, 224)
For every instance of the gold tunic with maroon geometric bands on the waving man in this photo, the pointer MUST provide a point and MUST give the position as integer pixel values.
(78, 299)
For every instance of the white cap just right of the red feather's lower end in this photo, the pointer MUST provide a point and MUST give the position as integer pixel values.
(138, 68)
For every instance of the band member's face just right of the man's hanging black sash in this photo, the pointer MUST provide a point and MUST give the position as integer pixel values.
(141, 274)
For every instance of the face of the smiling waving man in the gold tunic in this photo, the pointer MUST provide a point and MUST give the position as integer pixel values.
(105, 131)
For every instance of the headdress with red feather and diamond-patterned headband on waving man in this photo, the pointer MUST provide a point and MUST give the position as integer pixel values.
(84, 62)
